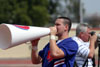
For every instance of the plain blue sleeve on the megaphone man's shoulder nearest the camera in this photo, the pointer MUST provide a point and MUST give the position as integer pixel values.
(69, 48)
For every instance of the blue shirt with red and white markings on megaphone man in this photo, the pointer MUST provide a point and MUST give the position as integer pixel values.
(69, 48)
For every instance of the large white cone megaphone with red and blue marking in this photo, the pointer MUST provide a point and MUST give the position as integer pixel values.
(13, 35)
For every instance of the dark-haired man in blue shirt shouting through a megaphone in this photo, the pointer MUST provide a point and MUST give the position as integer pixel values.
(60, 54)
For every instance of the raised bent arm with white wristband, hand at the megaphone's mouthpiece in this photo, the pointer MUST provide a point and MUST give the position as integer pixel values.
(56, 52)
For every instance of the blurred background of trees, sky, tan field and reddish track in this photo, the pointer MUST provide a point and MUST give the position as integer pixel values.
(42, 13)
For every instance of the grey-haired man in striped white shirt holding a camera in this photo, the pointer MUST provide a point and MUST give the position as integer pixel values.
(86, 47)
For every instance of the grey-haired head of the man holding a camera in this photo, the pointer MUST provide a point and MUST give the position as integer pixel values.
(83, 32)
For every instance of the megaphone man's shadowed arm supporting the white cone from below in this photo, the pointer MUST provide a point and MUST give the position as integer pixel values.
(36, 59)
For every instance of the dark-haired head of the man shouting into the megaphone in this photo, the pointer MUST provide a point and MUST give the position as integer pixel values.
(63, 24)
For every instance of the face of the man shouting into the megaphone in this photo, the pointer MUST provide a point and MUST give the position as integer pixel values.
(60, 26)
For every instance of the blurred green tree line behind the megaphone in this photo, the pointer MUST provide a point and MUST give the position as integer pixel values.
(38, 12)
